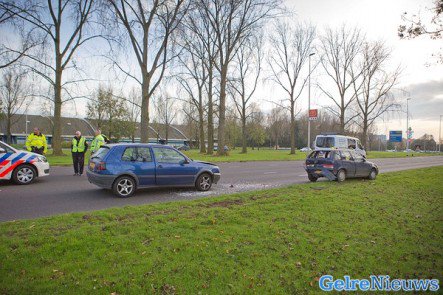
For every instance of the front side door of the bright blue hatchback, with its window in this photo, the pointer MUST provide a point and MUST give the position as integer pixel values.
(172, 167)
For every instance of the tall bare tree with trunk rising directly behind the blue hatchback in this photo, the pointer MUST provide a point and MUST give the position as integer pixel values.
(149, 28)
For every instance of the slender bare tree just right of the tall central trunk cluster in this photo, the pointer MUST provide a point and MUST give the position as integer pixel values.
(248, 64)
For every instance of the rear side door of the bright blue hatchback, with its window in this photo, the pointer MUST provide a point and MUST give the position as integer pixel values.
(139, 161)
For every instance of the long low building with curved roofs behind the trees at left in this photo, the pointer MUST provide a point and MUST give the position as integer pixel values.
(24, 124)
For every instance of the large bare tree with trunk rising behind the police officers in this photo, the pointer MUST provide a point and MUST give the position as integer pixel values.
(63, 24)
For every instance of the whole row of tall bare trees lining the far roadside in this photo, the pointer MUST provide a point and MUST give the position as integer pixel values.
(214, 52)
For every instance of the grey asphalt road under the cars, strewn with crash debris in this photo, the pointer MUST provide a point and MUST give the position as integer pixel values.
(62, 193)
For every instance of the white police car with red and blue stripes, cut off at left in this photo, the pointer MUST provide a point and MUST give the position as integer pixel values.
(21, 166)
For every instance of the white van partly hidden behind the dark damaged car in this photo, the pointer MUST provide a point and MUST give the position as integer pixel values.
(326, 142)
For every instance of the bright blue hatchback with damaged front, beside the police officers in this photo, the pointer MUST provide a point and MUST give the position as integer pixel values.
(126, 167)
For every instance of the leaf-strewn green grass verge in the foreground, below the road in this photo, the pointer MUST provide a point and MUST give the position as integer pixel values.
(277, 241)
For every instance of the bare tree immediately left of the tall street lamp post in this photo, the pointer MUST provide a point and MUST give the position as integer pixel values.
(291, 46)
